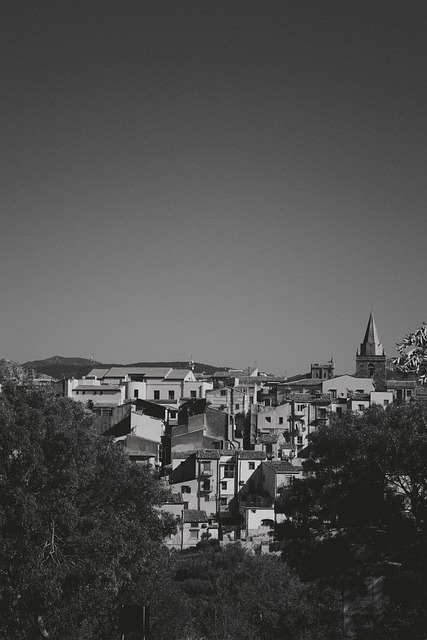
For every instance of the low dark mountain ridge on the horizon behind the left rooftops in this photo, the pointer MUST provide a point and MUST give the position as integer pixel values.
(59, 367)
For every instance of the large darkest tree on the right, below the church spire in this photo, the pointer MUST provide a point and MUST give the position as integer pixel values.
(363, 509)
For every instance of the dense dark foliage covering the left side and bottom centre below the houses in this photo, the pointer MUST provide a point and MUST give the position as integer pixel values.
(80, 534)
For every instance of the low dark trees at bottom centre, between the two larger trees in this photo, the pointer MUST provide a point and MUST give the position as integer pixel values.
(237, 596)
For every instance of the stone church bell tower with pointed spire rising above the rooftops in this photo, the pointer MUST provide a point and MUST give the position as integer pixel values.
(370, 359)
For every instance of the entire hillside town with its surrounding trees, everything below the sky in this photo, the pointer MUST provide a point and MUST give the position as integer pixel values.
(220, 504)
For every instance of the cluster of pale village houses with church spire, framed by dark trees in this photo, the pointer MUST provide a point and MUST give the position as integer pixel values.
(227, 443)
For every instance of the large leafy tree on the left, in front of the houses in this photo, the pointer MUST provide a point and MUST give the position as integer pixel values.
(79, 529)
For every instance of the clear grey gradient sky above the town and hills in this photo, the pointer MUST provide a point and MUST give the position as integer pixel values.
(237, 181)
